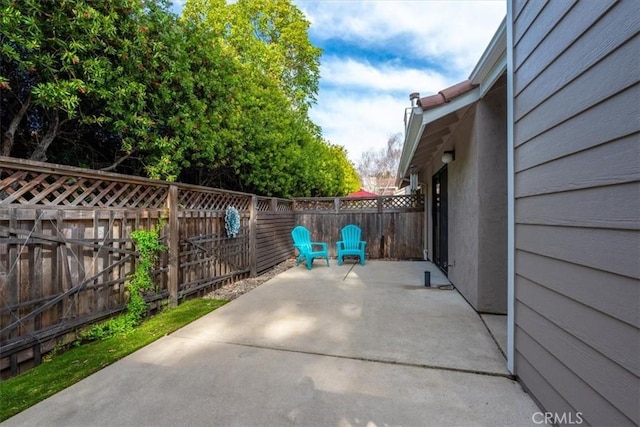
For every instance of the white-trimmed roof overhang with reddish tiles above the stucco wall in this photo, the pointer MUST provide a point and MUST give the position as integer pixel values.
(427, 130)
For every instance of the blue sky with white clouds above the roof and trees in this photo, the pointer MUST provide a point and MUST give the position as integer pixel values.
(377, 52)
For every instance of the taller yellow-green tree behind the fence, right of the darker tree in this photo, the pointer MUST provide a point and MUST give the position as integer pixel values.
(273, 147)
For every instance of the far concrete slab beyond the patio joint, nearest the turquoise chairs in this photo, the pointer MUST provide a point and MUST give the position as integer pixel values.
(381, 311)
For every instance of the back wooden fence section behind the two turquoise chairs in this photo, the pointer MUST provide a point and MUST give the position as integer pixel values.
(392, 226)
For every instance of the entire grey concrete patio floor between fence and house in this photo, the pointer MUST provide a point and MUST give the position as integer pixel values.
(335, 346)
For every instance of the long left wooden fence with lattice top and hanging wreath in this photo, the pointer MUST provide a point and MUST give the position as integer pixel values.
(66, 250)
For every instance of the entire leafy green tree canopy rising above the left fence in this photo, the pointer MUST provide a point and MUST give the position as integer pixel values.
(217, 97)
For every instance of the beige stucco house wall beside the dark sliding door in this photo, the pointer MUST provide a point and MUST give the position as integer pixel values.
(478, 204)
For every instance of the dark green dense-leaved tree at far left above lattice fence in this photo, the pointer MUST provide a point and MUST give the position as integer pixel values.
(109, 81)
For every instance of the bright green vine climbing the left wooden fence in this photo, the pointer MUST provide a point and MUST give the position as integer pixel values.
(149, 247)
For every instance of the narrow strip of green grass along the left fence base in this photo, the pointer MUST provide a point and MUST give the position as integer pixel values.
(59, 372)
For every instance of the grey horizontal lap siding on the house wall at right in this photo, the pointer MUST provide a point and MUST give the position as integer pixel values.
(577, 206)
